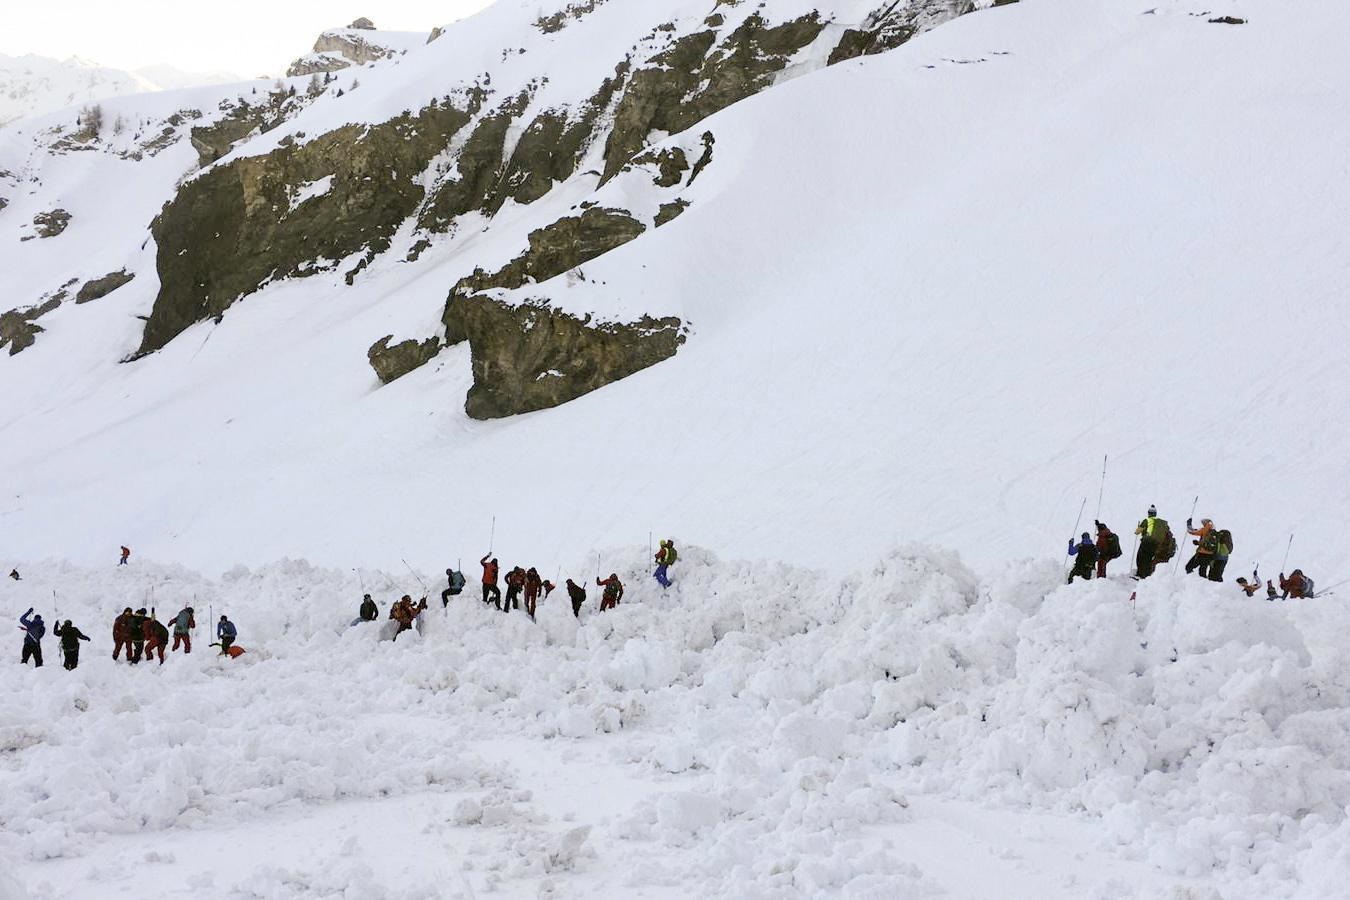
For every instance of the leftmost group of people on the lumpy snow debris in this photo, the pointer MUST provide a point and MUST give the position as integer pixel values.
(140, 634)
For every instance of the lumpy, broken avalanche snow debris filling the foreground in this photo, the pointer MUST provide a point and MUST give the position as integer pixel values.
(759, 732)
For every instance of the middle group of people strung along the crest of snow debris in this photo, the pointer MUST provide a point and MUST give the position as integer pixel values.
(520, 584)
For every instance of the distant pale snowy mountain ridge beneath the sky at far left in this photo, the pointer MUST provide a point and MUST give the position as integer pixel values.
(33, 86)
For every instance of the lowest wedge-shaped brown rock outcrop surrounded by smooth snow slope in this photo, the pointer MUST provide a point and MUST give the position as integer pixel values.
(530, 358)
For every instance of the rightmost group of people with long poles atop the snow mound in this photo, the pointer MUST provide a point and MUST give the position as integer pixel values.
(1158, 546)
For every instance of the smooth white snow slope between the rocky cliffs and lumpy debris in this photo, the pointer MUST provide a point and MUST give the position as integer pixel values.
(944, 283)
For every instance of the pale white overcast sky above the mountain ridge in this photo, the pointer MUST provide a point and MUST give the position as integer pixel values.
(245, 37)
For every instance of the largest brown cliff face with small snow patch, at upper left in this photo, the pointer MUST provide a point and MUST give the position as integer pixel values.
(233, 229)
